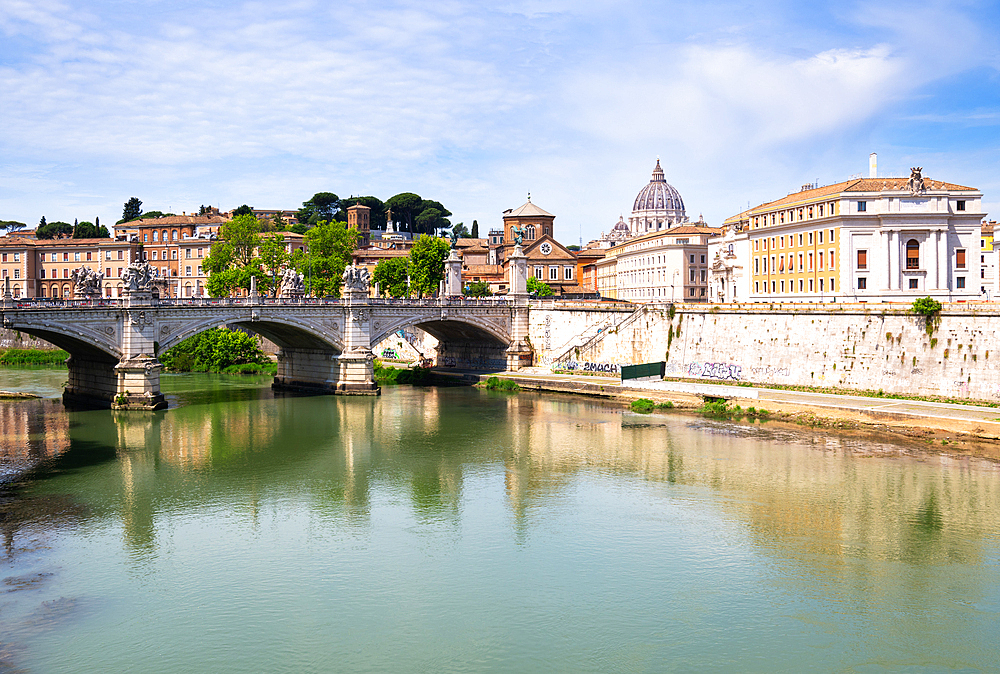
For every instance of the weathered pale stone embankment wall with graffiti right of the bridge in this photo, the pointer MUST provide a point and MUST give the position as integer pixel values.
(954, 354)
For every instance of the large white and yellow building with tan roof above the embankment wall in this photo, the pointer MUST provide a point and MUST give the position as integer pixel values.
(864, 240)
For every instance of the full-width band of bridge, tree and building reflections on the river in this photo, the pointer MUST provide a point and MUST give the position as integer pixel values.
(800, 495)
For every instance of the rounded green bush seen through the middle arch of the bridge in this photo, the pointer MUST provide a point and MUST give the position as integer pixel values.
(218, 350)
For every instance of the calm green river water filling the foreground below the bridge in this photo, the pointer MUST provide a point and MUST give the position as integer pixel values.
(459, 530)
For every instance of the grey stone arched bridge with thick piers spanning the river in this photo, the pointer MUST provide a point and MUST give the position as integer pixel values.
(325, 344)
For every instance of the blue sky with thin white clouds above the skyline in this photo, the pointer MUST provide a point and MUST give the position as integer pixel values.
(224, 103)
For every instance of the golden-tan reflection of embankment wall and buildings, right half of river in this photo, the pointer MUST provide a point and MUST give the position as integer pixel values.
(827, 501)
